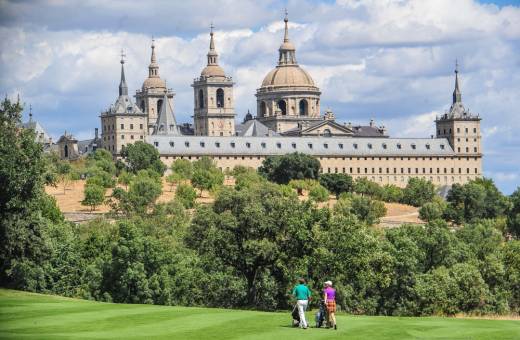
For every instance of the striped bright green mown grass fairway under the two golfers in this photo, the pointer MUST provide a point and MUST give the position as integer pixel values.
(26, 315)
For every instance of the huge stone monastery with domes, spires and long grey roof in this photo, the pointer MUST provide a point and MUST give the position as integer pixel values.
(288, 120)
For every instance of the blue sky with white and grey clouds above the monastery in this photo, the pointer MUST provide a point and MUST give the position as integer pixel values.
(390, 60)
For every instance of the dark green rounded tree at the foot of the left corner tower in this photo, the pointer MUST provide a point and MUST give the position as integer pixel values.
(142, 156)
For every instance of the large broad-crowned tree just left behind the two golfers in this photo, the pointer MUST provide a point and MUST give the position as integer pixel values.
(243, 229)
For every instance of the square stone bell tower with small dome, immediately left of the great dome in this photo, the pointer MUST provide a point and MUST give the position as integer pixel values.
(214, 113)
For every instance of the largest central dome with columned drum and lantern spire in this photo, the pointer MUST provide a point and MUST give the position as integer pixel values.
(288, 96)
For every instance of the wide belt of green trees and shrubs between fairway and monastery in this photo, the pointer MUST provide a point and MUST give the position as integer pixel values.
(246, 249)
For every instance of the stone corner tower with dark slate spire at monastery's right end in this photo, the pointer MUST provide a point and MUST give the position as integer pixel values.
(459, 126)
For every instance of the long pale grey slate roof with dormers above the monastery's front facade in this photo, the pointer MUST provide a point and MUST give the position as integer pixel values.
(323, 146)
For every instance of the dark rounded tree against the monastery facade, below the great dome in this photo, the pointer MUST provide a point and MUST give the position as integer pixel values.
(282, 169)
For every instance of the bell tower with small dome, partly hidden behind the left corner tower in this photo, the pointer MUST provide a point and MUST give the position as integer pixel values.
(151, 96)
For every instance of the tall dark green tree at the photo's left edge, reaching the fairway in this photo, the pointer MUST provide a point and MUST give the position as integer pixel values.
(24, 246)
